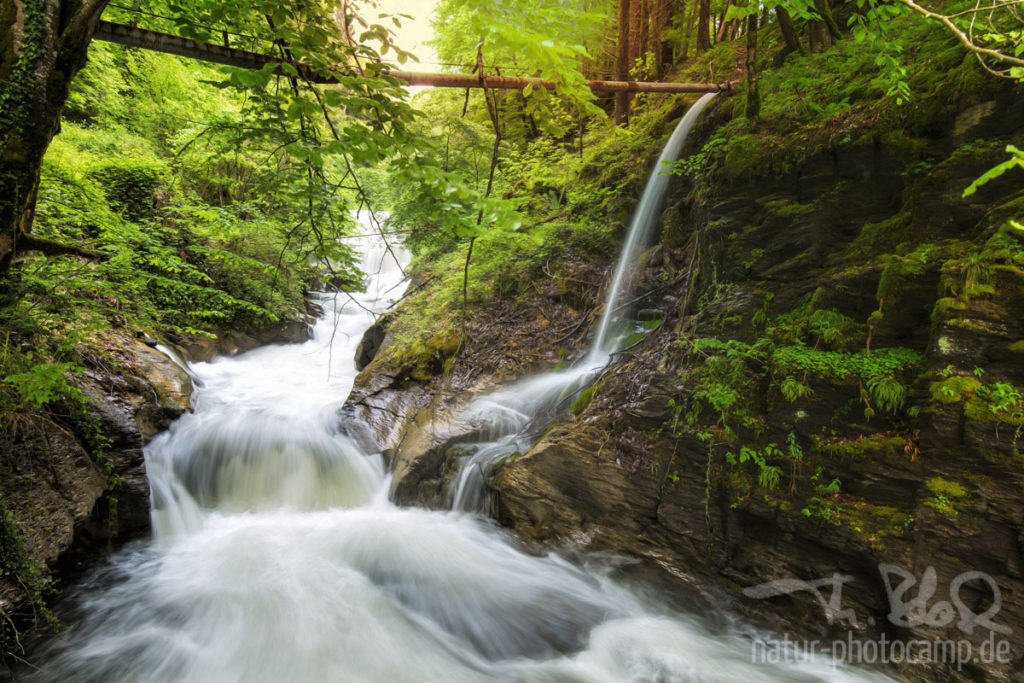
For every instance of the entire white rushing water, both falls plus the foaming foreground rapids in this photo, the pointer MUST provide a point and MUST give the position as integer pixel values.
(277, 556)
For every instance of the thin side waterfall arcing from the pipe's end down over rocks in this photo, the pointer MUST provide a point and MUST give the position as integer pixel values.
(515, 416)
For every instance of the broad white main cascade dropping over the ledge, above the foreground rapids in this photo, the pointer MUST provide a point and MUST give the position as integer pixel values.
(239, 452)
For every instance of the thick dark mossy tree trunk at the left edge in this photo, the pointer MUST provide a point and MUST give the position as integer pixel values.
(44, 46)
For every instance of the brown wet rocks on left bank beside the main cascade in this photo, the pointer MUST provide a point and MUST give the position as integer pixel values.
(70, 508)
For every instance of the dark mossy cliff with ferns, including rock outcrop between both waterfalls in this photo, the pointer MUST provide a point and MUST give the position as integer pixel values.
(837, 382)
